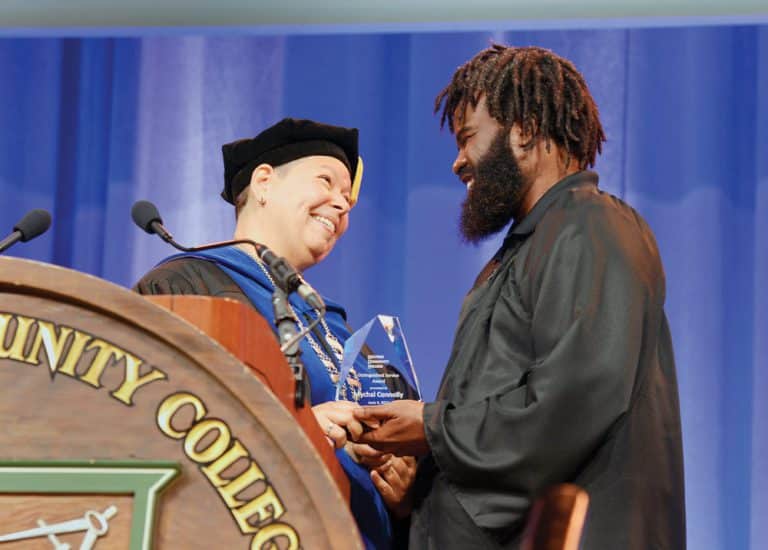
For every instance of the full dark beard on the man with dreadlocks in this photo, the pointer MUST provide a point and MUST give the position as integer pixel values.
(496, 193)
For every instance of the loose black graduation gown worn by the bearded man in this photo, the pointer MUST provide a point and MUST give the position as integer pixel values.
(561, 371)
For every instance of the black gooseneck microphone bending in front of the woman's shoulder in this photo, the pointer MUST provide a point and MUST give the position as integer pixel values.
(146, 216)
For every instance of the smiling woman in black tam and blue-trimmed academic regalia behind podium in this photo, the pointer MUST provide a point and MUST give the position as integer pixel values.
(293, 186)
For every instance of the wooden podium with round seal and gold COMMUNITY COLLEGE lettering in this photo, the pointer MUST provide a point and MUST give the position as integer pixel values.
(124, 425)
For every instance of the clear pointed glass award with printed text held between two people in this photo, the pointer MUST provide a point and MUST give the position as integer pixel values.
(390, 374)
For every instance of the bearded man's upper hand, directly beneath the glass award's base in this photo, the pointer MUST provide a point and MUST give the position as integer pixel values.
(397, 427)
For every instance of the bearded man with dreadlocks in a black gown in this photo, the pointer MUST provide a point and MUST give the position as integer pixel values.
(562, 367)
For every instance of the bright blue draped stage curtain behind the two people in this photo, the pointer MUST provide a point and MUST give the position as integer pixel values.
(89, 125)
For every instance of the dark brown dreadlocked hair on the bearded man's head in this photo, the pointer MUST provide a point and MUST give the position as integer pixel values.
(532, 87)
